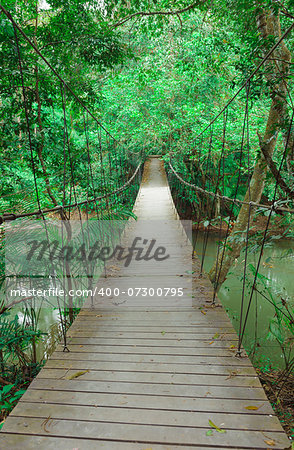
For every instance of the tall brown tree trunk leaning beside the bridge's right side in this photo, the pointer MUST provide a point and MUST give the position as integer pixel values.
(268, 24)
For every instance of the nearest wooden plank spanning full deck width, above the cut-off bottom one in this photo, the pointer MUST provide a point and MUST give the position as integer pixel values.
(169, 435)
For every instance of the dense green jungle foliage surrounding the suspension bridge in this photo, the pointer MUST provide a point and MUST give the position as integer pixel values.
(154, 73)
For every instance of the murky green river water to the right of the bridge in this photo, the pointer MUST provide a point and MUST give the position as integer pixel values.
(277, 266)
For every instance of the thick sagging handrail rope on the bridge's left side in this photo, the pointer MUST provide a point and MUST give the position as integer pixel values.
(11, 216)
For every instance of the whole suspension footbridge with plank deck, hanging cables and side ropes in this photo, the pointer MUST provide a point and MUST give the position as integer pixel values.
(152, 360)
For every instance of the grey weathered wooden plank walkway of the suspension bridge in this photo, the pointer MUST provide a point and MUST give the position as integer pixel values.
(157, 369)
